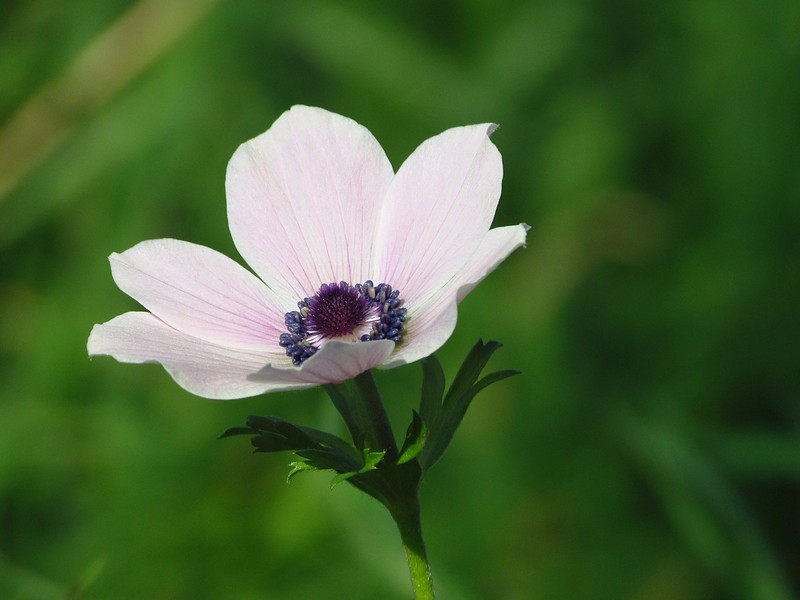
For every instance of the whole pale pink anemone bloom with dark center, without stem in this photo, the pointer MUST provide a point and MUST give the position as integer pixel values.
(357, 266)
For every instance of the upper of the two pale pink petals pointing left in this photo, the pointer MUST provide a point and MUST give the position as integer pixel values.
(202, 293)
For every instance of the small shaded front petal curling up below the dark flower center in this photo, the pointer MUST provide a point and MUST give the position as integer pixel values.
(333, 363)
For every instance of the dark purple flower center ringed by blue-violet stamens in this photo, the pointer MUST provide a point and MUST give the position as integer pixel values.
(350, 313)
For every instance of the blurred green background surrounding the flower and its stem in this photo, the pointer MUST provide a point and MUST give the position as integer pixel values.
(650, 450)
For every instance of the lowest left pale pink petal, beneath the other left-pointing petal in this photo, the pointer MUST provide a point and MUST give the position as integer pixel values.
(204, 369)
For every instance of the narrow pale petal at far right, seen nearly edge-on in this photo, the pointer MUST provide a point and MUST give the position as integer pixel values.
(432, 323)
